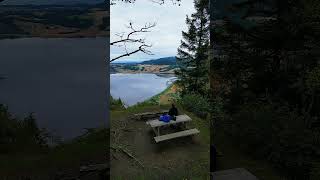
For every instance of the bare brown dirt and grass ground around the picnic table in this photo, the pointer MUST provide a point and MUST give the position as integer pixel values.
(135, 155)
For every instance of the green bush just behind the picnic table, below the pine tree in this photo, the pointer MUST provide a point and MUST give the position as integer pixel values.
(196, 104)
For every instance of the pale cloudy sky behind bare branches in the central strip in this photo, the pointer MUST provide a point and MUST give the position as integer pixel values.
(165, 37)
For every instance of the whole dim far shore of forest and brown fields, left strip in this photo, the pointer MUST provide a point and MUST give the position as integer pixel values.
(52, 21)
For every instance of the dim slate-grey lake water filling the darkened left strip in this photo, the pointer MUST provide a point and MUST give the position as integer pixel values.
(63, 81)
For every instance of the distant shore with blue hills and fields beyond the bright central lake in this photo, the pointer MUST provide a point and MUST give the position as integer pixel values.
(166, 65)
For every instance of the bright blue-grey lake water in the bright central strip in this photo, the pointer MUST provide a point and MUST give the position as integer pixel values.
(134, 88)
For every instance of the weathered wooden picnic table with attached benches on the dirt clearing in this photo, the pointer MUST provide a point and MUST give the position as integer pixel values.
(156, 125)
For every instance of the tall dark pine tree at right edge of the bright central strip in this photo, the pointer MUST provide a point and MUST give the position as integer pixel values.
(193, 51)
